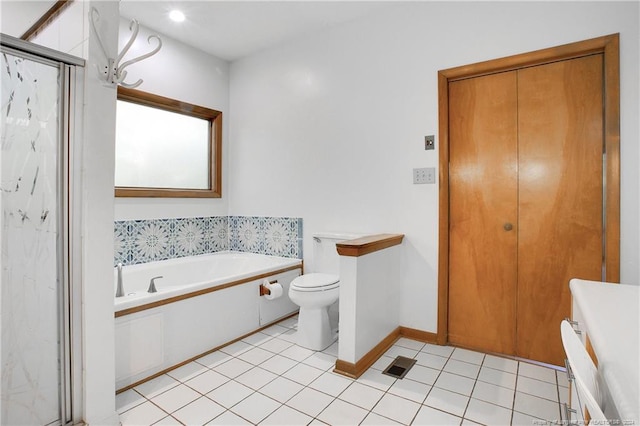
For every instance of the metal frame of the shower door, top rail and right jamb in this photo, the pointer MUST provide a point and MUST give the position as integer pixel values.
(69, 253)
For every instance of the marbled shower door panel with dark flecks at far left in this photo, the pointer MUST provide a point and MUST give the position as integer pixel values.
(33, 316)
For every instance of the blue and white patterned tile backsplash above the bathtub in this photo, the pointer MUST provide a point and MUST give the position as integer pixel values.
(142, 241)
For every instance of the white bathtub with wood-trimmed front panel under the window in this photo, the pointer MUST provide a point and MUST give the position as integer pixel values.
(202, 302)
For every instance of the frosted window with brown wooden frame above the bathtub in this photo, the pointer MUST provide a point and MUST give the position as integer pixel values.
(166, 148)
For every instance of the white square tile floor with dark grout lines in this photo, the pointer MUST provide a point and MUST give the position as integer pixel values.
(267, 379)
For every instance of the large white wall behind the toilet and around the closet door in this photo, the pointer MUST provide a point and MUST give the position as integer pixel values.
(328, 128)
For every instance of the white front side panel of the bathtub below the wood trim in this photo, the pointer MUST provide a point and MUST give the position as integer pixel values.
(213, 319)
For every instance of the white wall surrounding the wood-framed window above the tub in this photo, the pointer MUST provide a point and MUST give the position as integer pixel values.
(187, 74)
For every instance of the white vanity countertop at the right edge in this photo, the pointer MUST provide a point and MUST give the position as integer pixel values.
(611, 314)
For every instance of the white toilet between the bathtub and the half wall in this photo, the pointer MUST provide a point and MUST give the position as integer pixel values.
(317, 292)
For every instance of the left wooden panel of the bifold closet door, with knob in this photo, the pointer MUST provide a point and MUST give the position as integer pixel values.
(483, 199)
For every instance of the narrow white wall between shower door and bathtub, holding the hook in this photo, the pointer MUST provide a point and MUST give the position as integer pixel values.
(92, 210)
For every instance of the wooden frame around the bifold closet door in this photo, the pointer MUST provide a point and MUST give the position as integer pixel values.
(606, 45)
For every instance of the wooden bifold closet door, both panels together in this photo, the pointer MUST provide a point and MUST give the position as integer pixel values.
(525, 203)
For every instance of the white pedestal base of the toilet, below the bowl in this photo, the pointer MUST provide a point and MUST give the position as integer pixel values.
(314, 329)
